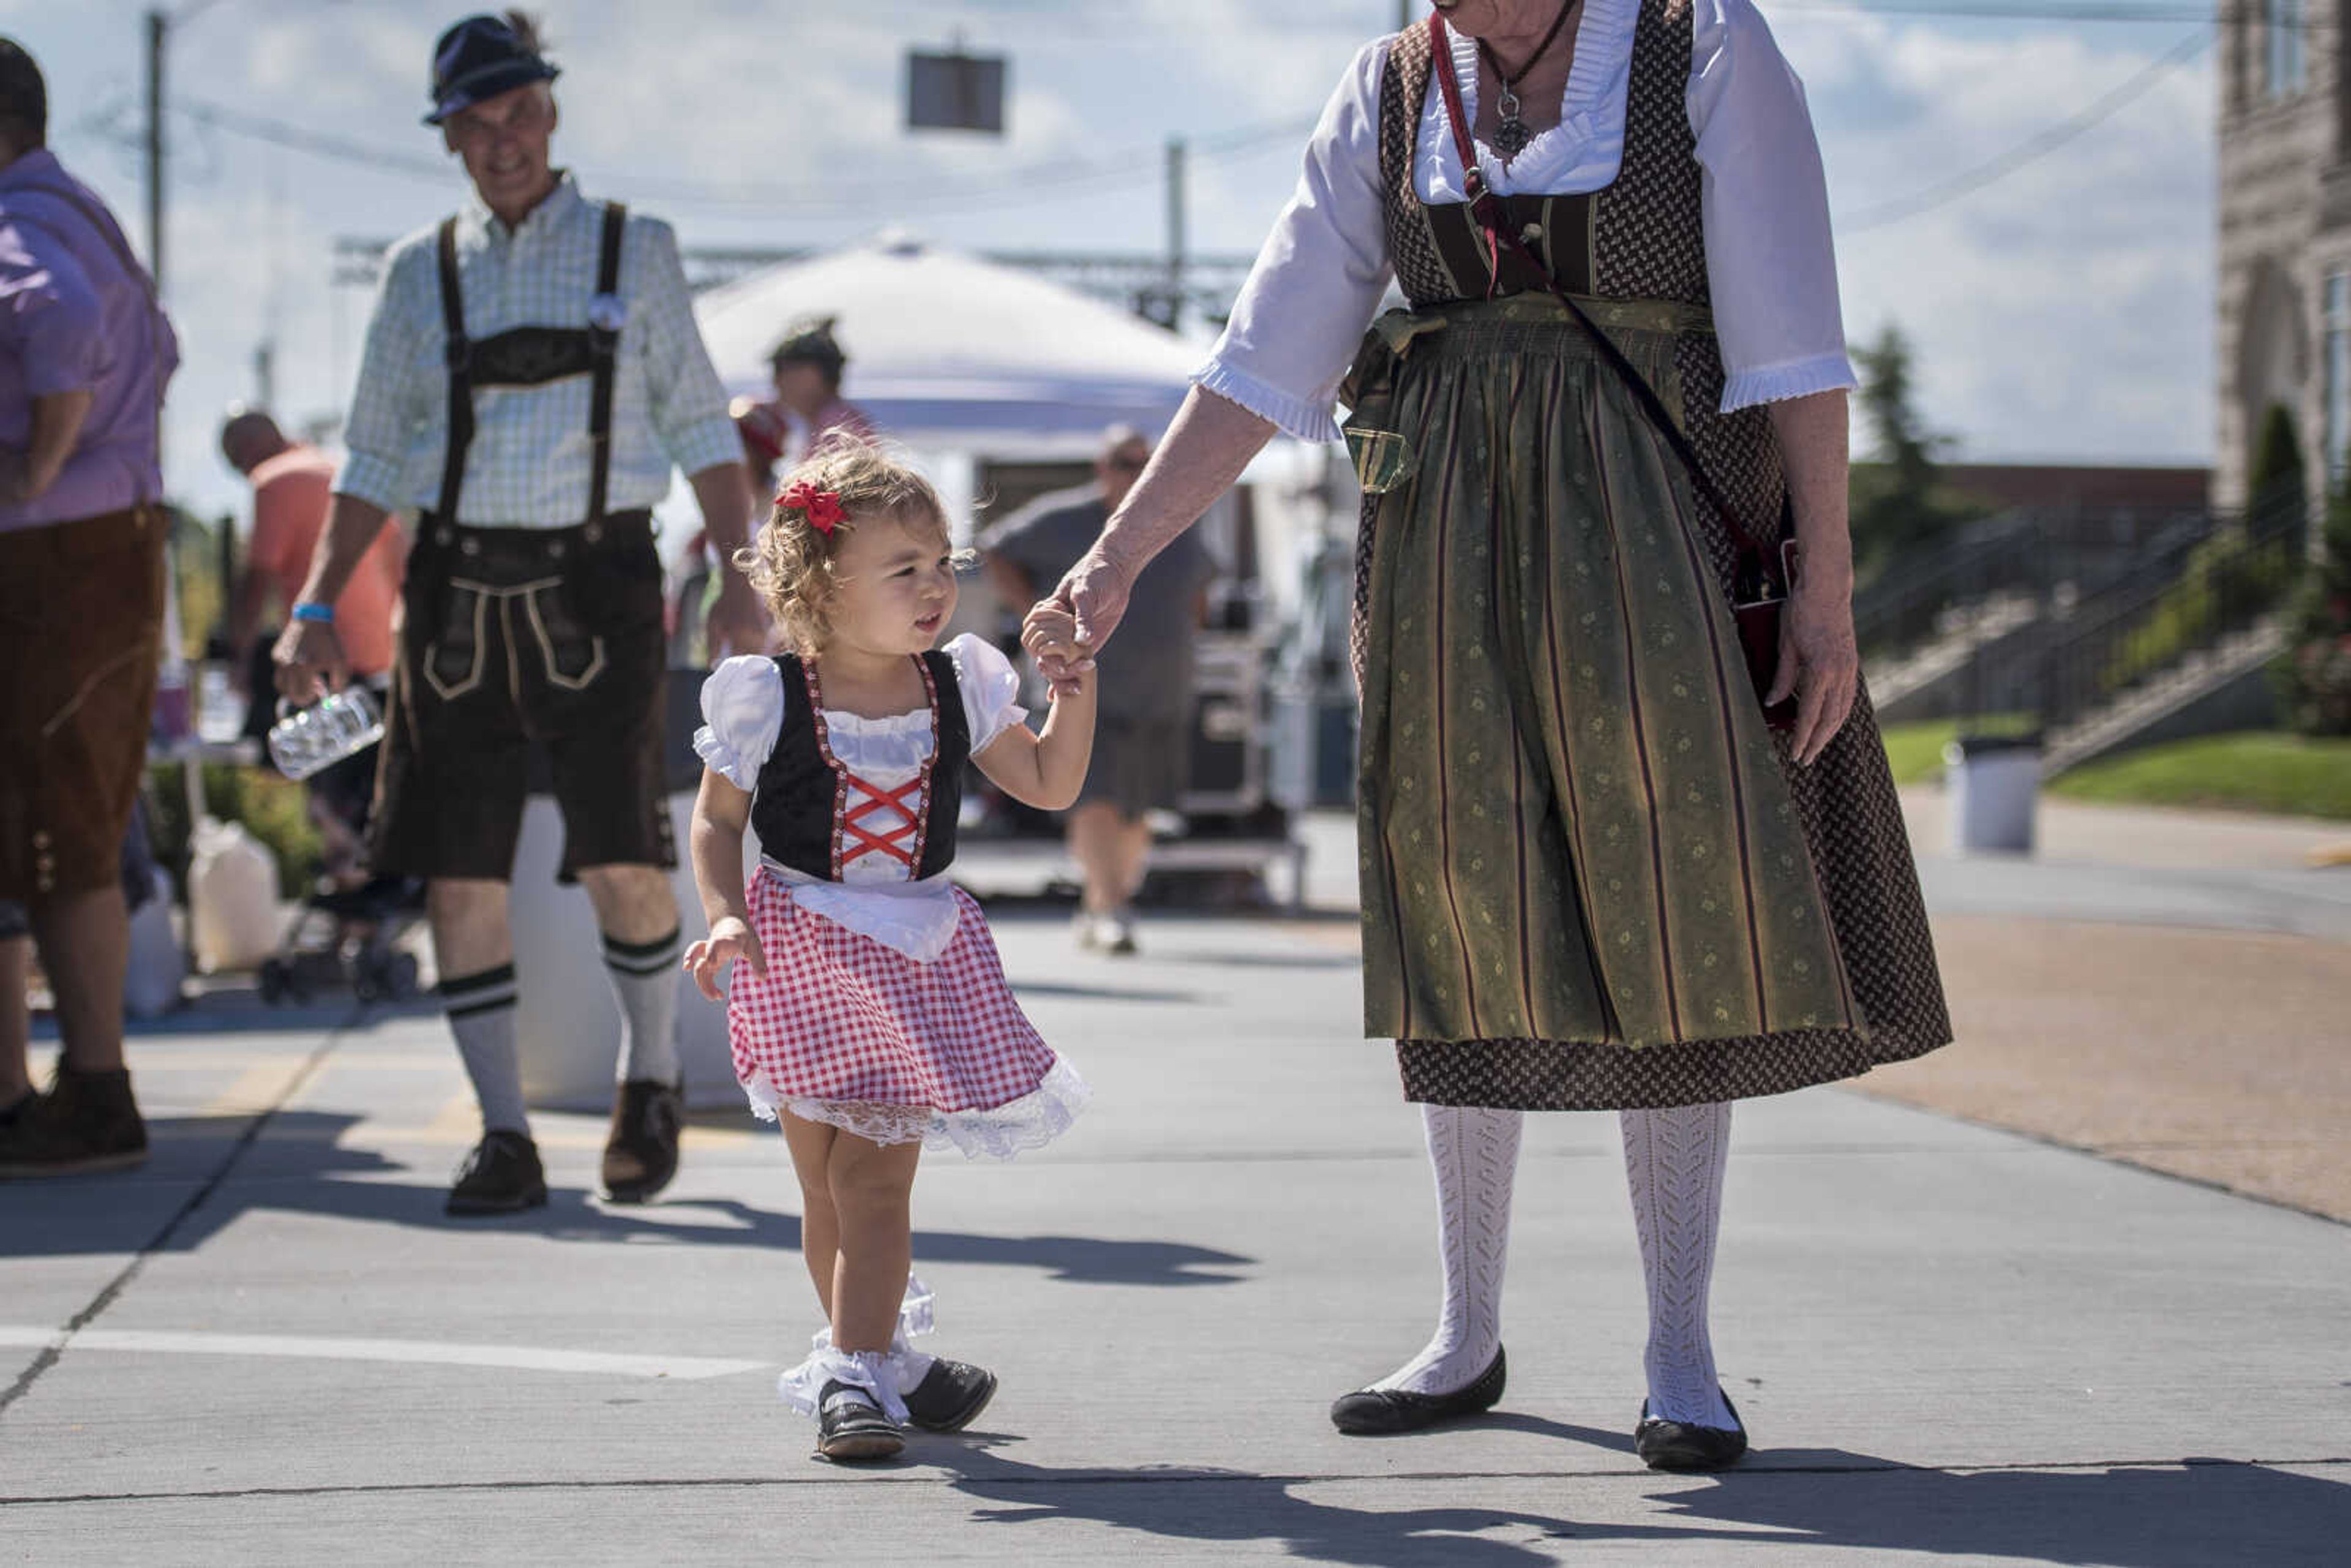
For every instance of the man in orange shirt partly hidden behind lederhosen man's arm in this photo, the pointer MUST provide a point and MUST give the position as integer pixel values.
(293, 483)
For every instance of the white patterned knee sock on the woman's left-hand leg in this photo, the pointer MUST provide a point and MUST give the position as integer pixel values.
(1475, 1155)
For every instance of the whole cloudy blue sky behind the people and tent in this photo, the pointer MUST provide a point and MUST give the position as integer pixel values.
(2063, 311)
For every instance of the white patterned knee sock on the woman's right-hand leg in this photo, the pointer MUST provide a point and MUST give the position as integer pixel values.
(1675, 1165)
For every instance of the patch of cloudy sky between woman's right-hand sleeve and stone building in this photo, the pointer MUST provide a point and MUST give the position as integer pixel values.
(2063, 311)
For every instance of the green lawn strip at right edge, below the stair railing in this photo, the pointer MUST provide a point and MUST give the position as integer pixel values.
(2246, 772)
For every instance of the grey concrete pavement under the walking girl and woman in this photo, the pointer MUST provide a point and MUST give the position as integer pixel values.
(1950, 1343)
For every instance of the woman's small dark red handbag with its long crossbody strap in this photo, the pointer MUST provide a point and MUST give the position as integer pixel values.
(1764, 575)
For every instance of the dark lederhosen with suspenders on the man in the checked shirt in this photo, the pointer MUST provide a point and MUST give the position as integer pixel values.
(528, 638)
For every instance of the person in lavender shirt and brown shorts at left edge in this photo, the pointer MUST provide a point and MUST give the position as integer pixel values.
(83, 361)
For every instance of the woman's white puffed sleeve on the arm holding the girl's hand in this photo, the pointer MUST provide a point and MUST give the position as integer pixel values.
(1320, 276)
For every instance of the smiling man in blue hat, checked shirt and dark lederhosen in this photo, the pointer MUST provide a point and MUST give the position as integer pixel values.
(533, 373)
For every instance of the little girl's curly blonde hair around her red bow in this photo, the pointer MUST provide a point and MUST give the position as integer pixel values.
(791, 561)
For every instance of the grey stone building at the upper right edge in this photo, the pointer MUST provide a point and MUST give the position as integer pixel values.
(2284, 234)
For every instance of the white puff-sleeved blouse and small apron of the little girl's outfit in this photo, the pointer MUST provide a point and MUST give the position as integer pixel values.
(878, 894)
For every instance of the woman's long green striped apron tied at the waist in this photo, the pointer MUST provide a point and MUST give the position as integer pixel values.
(1572, 819)
